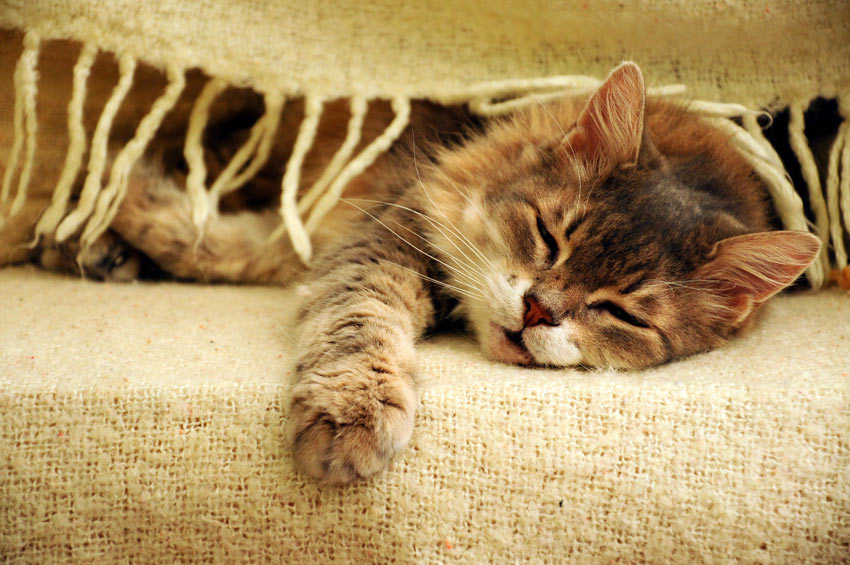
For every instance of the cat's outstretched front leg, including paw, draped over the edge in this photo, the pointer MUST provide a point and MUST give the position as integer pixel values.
(352, 406)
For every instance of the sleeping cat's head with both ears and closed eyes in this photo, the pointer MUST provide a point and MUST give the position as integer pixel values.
(606, 234)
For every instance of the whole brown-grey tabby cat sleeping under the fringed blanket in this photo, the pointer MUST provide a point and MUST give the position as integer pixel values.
(613, 231)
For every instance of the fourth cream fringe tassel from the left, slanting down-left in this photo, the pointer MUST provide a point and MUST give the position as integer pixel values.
(110, 197)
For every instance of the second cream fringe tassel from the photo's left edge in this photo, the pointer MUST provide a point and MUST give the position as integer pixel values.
(76, 145)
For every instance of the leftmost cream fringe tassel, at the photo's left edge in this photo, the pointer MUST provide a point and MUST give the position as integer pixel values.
(26, 87)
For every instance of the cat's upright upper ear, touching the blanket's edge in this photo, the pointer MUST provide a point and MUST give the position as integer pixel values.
(610, 128)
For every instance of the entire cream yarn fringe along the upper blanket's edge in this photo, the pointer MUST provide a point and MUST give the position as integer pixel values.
(302, 215)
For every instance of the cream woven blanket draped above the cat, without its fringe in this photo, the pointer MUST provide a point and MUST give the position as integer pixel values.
(754, 53)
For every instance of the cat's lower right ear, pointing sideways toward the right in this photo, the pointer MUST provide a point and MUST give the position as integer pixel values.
(746, 270)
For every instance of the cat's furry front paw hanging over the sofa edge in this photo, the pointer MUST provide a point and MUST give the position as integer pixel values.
(348, 425)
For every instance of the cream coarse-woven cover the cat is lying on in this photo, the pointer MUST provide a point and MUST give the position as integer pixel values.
(142, 423)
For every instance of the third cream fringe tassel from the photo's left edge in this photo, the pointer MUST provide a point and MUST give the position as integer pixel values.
(99, 151)
